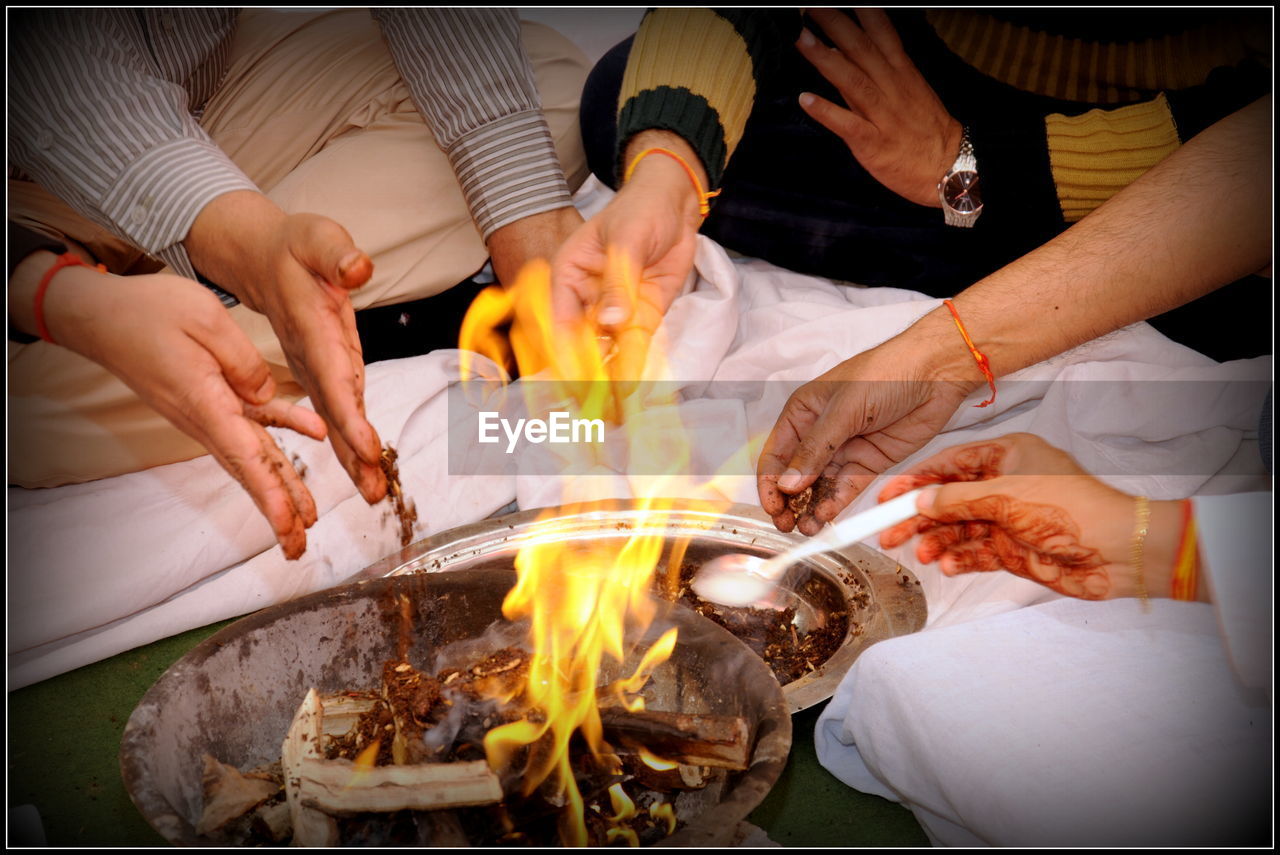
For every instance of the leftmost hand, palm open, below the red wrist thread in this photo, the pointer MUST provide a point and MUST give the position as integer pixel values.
(172, 342)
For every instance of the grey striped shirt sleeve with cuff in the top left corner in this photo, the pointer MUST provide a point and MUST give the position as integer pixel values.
(97, 121)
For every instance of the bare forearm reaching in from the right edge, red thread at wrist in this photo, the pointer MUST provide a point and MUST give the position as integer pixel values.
(1196, 222)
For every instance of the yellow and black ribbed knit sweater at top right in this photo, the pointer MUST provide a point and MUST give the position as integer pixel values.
(1118, 92)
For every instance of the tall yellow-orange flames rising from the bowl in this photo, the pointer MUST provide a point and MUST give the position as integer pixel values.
(586, 601)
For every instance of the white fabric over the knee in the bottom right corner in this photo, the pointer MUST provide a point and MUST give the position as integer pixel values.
(1067, 724)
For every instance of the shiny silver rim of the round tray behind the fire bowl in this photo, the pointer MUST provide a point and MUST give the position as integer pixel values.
(884, 600)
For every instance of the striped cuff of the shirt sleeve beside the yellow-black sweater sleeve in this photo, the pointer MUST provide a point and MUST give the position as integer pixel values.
(509, 171)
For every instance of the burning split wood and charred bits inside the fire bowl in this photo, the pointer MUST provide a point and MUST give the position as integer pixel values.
(359, 753)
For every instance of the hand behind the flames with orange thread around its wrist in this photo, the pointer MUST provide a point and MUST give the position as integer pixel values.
(625, 267)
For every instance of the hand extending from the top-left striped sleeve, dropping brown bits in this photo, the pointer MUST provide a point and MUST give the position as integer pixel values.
(298, 271)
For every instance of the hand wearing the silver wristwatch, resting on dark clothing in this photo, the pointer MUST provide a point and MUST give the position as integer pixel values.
(895, 126)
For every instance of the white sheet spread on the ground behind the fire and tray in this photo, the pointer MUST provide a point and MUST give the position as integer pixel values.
(98, 569)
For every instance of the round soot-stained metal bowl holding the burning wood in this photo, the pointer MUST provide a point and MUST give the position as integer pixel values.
(235, 696)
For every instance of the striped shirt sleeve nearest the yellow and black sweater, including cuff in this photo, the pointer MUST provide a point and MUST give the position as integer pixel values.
(472, 81)
